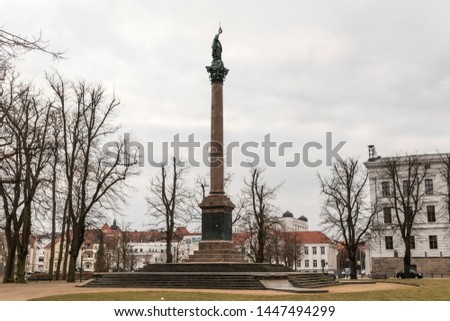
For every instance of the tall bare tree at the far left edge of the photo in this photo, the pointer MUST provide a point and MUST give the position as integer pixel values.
(26, 118)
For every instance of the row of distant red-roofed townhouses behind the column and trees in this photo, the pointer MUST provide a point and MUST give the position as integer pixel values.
(314, 252)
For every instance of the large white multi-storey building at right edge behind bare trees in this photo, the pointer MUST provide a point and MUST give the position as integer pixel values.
(430, 243)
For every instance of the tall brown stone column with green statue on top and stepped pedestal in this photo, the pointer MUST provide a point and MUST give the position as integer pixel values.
(216, 244)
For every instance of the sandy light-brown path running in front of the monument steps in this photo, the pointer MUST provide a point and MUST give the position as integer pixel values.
(23, 292)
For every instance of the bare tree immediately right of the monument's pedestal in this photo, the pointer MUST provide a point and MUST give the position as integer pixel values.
(257, 197)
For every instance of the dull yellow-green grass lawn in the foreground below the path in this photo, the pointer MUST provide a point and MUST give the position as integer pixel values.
(428, 290)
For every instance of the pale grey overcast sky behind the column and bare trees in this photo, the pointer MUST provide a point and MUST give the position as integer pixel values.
(369, 72)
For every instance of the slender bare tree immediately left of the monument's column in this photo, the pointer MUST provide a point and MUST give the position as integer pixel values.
(168, 201)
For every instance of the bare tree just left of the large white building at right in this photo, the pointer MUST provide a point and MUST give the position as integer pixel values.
(345, 210)
